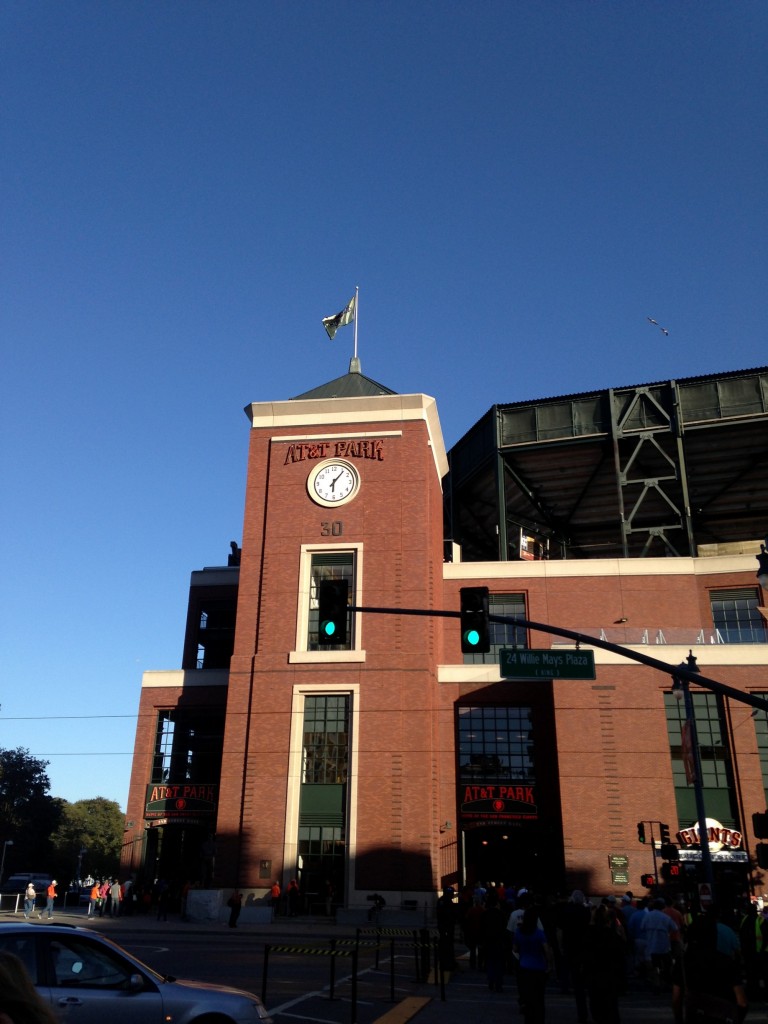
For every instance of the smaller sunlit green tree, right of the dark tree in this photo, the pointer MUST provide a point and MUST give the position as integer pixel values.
(90, 838)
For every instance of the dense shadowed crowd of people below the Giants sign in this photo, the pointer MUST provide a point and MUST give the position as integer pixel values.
(708, 964)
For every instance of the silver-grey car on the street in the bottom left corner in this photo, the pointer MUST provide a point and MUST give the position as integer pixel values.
(90, 979)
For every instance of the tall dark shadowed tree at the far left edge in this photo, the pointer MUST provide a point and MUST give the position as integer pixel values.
(28, 815)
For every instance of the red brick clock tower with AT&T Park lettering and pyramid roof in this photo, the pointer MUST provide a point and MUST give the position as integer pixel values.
(334, 770)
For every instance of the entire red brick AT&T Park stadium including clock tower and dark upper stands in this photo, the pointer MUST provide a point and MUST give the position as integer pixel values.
(396, 764)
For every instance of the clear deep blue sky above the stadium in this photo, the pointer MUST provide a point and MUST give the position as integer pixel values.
(189, 187)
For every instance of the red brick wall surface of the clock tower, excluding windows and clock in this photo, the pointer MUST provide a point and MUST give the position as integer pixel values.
(398, 517)
